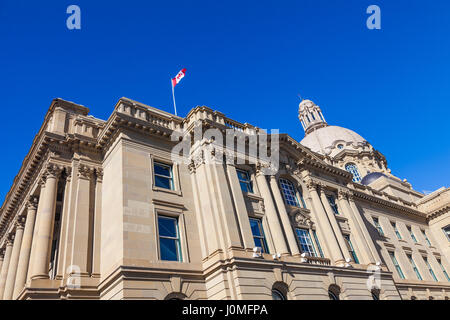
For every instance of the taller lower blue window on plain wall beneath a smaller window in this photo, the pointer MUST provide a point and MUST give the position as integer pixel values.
(169, 239)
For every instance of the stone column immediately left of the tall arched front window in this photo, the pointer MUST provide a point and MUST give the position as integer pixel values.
(272, 216)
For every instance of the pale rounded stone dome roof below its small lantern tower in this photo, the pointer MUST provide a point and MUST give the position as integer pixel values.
(330, 140)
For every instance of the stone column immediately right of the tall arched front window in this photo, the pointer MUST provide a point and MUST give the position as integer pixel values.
(324, 224)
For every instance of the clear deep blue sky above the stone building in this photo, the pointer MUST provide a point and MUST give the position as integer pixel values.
(248, 59)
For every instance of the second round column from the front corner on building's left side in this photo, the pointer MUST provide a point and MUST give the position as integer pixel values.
(25, 249)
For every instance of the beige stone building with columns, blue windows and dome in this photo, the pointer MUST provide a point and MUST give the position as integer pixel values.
(100, 210)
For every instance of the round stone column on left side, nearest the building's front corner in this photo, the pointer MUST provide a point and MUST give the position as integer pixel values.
(46, 223)
